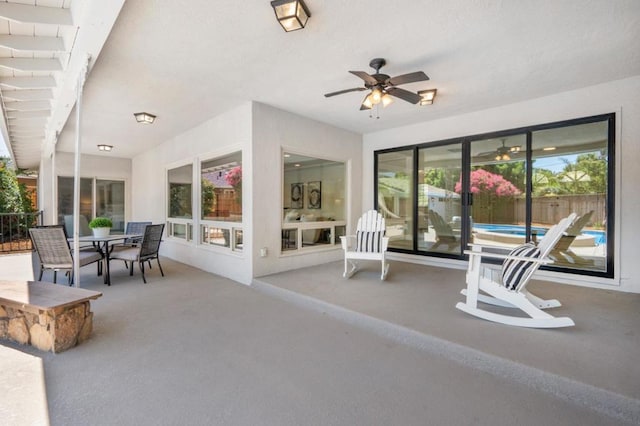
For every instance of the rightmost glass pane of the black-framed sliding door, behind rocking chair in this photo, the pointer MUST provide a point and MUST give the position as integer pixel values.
(570, 174)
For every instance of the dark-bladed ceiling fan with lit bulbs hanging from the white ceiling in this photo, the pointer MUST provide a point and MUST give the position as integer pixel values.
(382, 86)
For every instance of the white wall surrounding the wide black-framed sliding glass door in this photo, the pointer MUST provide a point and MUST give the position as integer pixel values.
(621, 97)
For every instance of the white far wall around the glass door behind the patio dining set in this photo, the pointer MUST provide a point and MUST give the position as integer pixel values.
(91, 166)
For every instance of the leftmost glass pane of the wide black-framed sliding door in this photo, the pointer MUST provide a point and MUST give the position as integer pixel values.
(395, 196)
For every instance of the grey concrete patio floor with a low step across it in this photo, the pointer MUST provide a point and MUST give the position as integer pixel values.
(309, 347)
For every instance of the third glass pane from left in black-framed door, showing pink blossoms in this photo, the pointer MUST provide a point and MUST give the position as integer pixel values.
(497, 184)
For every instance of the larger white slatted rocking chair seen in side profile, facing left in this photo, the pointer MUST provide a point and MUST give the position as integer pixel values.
(507, 289)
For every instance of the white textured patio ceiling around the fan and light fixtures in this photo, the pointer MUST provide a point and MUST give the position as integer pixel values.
(189, 61)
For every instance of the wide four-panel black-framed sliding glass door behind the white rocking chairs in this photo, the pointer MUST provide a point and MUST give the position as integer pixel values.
(504, 189)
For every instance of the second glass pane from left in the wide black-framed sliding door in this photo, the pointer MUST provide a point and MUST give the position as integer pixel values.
(439, 199)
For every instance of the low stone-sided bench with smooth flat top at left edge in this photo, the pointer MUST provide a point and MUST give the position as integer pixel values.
(47, 316)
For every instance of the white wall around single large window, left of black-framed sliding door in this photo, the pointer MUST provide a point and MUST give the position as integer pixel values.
(275, 131)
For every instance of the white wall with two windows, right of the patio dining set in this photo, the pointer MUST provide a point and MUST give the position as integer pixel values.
(226, 133)
